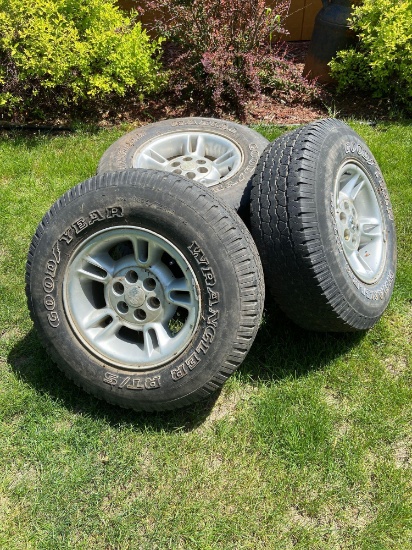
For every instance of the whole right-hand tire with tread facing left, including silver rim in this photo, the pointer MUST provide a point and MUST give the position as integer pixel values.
(323, 224)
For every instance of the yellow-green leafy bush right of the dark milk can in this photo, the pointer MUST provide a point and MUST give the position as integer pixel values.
(381, 63)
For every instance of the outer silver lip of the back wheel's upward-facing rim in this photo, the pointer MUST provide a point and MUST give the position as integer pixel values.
(178, 134)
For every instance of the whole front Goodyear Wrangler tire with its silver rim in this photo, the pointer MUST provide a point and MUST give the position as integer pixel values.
(133, 302)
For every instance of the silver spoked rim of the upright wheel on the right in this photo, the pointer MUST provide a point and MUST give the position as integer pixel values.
(360, 222)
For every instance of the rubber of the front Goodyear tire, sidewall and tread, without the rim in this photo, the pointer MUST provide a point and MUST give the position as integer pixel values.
(222, 255)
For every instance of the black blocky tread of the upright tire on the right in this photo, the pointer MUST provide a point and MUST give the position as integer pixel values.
(285, 228)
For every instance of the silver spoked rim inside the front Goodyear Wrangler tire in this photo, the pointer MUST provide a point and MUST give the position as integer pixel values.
(131, 297)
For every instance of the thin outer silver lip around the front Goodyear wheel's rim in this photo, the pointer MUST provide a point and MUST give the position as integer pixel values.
(150, 366)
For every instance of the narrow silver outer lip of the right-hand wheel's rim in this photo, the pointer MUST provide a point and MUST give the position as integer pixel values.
(377, 272)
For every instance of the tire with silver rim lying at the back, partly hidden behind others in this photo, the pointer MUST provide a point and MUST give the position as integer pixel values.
(191, 147)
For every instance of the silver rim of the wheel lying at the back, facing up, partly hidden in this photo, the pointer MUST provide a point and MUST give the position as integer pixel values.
(203, 157)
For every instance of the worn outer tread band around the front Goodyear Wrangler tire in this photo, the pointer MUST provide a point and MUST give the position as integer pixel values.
(232, 234)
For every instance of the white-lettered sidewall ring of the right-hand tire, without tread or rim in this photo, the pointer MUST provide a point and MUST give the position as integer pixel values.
(343, 146)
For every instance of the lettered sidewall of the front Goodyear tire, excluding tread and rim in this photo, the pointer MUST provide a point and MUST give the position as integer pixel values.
(220, 301)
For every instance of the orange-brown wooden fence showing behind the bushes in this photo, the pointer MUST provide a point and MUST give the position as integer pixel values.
(299, 22)
